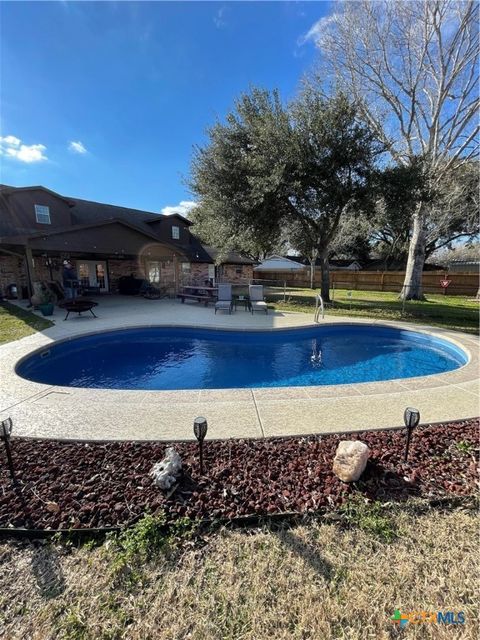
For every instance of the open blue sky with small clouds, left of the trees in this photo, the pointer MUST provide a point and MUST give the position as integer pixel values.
(105, 100)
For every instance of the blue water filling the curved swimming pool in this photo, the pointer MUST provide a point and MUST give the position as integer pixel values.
(188, 358)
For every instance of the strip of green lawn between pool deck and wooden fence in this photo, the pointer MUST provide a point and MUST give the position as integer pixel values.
(450, 312)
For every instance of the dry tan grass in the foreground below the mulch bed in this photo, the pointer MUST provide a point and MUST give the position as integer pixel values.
(317, 581)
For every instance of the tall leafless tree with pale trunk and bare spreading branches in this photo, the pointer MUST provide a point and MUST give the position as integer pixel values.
(412, 68)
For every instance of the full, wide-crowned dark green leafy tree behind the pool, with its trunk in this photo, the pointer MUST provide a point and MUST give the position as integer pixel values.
(269, 169)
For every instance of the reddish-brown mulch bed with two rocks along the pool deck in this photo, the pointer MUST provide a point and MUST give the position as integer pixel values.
(89, 485)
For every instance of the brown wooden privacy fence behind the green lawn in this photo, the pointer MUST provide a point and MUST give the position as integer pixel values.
(461, 284)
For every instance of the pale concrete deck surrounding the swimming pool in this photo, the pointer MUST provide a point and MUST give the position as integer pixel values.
(45, 411)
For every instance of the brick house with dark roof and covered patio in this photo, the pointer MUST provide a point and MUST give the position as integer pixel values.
(40, 228)
